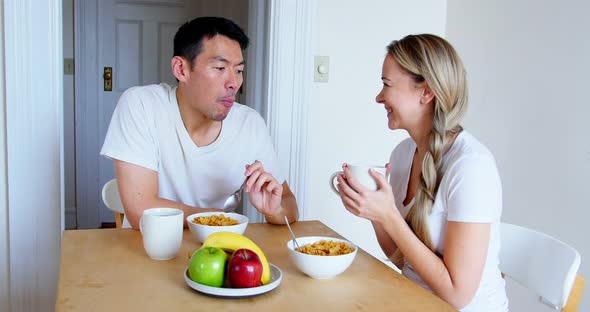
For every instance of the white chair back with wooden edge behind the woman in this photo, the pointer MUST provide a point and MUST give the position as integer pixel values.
(543, 264)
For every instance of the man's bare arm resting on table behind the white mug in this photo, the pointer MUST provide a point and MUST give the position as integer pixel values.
(138, 187)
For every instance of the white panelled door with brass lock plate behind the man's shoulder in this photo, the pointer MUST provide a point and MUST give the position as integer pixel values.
(136, 42)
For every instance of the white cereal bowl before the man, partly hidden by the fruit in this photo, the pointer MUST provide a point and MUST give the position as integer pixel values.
(201, 231)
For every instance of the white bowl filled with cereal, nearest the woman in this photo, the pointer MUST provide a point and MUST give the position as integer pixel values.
(322, 257)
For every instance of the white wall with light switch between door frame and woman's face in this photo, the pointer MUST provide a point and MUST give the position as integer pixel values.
(346, 125)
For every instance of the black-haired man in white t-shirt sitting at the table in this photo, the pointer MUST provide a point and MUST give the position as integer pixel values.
(190, 147)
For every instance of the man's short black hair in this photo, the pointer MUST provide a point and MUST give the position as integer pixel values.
(188, 41)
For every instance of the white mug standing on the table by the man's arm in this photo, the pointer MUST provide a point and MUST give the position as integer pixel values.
(161, 229)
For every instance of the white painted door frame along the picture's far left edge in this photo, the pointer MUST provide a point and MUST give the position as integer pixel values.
(31, 144)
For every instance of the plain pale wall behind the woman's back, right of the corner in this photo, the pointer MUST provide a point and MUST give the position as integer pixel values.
(528, 63)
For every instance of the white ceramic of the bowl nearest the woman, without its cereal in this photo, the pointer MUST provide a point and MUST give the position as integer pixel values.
(320, 267)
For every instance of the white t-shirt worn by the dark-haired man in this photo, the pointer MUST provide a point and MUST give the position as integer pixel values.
(146, 129)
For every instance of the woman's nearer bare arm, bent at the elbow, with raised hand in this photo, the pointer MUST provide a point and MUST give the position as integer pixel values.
(456, 276)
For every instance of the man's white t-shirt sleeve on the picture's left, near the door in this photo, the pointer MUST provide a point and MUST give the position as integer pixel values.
(130, 137)
